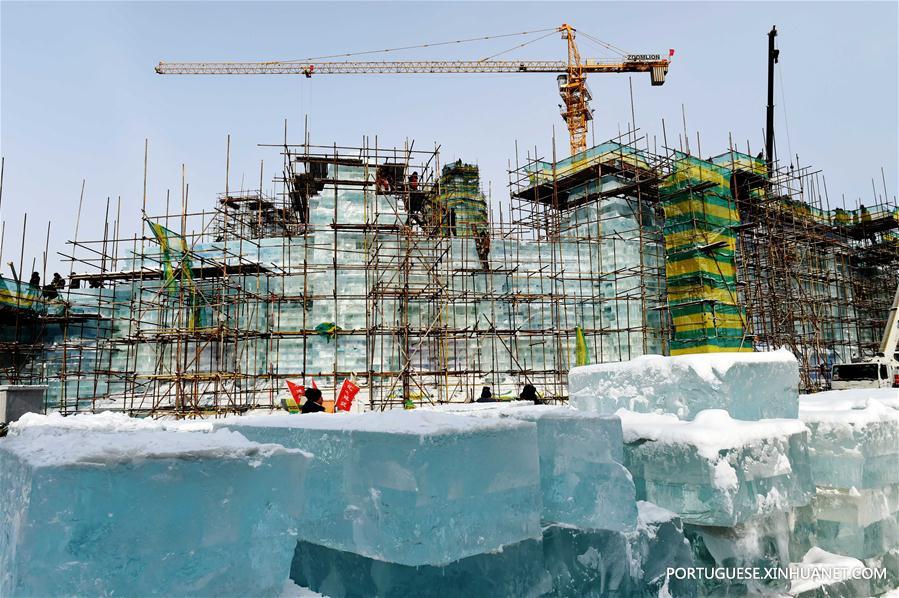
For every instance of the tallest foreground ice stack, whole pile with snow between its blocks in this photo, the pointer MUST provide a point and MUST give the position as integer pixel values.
(738, 474)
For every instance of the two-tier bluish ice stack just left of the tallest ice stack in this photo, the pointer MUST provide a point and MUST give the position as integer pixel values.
(594, 542)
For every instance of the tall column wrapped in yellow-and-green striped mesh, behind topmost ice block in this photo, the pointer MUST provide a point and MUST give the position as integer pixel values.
(700, 245)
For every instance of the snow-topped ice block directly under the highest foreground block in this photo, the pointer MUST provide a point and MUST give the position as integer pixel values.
(716, 470)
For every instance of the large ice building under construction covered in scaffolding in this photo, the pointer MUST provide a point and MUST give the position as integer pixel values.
(389, 268)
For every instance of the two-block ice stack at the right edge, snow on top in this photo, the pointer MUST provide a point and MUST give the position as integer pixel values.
(854, 452)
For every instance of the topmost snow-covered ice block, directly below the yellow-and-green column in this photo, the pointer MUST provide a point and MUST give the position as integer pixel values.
(748, 386)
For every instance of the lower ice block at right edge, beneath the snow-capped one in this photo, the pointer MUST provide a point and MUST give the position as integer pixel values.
(857, 523)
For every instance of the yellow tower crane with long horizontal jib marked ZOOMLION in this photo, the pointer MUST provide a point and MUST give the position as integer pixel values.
(572, 79)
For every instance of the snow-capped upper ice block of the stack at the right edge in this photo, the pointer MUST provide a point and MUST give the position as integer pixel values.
(853, 437)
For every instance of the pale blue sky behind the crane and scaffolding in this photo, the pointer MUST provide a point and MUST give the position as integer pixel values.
(78, 94)
